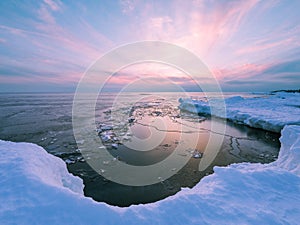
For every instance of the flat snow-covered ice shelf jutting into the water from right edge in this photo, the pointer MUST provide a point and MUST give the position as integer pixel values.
(271, 112)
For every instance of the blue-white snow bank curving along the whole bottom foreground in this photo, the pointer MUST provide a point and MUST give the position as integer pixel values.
(36, 188)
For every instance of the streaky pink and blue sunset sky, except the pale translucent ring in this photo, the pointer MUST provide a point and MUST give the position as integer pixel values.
(251, 45)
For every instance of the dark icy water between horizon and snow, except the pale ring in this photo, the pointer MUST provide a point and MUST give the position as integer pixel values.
(46, 119)
